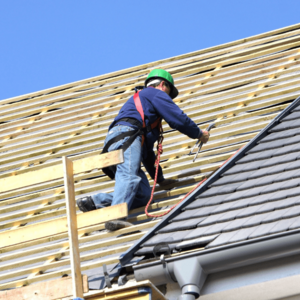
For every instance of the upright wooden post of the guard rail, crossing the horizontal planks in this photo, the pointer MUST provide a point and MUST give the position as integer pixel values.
(72, 228)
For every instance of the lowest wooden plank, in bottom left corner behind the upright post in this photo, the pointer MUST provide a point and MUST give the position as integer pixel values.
(49, 290)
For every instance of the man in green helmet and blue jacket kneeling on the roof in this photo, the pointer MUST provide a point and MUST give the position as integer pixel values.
(135, 130)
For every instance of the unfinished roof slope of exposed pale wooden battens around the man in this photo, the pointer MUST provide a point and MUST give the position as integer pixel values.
(241, 86)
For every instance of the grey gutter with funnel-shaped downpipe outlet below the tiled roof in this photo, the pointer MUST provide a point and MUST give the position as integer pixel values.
(190, 270)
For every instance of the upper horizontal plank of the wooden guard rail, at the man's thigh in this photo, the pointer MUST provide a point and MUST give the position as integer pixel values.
(55, 172)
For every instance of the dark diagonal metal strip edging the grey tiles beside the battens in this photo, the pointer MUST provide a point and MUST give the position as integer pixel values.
(126, 257)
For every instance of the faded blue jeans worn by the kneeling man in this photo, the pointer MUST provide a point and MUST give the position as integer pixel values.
(131, 185)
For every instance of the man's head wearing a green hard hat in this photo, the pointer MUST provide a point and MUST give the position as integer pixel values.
(162, 80)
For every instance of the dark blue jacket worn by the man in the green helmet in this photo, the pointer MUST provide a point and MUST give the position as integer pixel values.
(156, 103)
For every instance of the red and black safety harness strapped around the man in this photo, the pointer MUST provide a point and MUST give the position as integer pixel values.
(133, 134)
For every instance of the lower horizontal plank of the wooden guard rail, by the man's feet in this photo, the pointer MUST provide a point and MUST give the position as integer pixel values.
(59, 225)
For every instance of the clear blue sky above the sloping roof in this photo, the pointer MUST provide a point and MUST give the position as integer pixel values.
(46, 43)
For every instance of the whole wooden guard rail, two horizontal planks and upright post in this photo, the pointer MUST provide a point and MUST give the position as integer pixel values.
(66, 170)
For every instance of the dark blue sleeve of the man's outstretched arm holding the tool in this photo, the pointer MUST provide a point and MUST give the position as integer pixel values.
(174, 116)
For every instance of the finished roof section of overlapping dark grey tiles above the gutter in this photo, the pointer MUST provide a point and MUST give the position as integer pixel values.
(257, 196)
